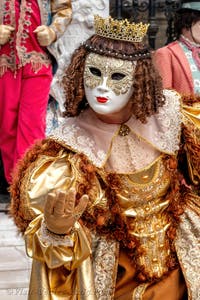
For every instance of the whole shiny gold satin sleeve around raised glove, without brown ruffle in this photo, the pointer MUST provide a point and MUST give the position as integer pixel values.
(45, 174)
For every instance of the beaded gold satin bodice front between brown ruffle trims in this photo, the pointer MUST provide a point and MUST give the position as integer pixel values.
(142, 201)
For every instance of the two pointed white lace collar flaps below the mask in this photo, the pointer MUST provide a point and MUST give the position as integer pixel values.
(87, 134)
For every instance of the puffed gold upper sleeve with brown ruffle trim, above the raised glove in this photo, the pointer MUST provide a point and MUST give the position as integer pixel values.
(45, 167)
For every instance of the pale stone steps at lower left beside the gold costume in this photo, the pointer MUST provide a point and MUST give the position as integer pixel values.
(15, 265)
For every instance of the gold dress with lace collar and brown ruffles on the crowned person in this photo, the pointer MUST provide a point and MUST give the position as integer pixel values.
(138, 238)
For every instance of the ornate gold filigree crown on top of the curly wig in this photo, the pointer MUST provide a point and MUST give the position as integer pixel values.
(120, 30)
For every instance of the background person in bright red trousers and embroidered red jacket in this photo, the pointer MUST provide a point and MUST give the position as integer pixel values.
(28, 30)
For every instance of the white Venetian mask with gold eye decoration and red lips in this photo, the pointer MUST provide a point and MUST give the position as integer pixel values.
(108, 83)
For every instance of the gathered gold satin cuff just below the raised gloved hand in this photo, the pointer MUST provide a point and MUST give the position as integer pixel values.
(56, 251)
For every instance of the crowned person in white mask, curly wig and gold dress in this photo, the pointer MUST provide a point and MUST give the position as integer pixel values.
(100, 201)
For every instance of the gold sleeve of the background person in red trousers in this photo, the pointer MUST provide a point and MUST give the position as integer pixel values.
(62, 13)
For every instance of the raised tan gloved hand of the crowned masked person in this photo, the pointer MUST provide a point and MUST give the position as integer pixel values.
(60, 212)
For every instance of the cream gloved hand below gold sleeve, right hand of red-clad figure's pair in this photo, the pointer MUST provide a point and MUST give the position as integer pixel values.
(45, 35)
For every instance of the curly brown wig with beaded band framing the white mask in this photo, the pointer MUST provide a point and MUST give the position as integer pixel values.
(147, 96)
